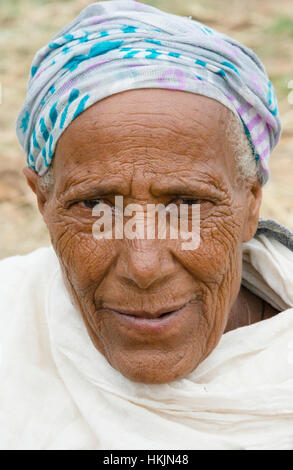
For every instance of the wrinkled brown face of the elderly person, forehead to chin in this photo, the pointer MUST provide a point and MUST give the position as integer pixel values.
(154, 310)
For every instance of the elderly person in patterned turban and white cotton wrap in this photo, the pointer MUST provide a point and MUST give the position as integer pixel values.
(116, 343)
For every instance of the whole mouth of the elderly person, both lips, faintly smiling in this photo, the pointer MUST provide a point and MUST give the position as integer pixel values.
(151, 322)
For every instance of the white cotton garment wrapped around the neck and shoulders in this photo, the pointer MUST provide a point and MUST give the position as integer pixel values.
(58, 392)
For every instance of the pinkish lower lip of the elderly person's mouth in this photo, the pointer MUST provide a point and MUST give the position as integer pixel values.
(148, 325)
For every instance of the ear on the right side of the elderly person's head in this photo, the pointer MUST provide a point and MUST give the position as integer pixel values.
(253, 209)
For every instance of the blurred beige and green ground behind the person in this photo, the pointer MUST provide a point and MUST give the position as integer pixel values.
(25, 25)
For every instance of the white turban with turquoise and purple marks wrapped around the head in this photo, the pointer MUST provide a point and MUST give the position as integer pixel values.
(114, 46)
